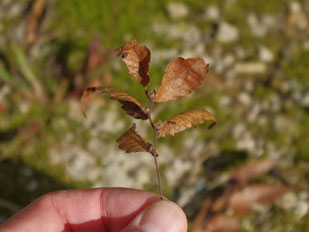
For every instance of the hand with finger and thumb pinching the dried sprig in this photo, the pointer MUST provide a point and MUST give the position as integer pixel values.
(102, 209)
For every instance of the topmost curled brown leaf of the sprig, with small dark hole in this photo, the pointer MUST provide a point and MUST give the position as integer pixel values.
(137, 58)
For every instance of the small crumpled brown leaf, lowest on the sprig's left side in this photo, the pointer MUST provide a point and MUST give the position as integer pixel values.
(132, 142)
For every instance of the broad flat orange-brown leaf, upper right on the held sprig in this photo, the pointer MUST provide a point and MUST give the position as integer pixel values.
(181, 78)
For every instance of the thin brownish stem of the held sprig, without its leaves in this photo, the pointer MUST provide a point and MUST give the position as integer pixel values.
(154, 153)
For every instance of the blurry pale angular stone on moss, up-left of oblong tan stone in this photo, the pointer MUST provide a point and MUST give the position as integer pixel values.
(227, 33)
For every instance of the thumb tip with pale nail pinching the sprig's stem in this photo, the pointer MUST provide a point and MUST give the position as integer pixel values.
(160, 216)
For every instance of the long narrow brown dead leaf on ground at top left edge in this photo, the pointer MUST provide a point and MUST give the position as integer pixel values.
(36, 12)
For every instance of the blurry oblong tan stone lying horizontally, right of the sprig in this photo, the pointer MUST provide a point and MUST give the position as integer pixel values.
(250, 68)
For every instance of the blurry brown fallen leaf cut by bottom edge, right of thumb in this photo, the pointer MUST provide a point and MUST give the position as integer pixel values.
(223, 223)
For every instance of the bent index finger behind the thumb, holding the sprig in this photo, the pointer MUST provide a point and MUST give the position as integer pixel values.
(105, 209)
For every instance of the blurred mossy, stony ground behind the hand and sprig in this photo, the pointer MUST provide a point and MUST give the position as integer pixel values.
(249, 173)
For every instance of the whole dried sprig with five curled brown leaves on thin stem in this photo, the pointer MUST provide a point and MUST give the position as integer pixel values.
(182, 76)
